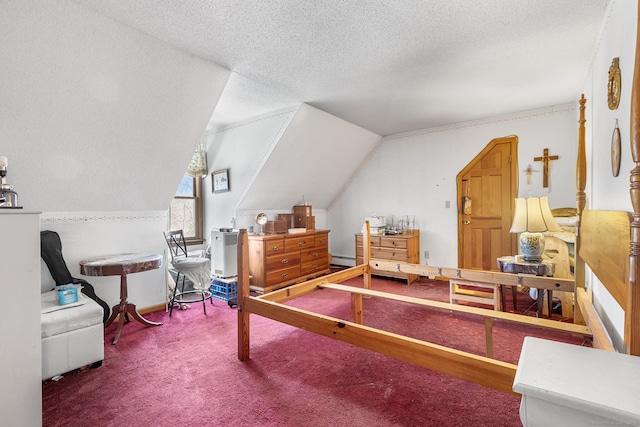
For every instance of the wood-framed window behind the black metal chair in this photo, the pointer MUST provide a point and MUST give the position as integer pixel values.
(186, 210)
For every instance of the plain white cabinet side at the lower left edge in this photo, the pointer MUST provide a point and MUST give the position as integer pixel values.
(20, 358)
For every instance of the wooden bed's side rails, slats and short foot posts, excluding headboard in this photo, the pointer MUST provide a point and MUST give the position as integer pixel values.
(478, 369)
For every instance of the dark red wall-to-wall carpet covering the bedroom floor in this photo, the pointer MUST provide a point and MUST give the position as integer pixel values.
(186, 372)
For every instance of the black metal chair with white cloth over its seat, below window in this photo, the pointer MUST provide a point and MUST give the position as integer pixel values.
(197, 269)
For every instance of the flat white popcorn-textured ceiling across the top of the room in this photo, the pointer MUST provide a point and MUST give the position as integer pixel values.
(388, 66)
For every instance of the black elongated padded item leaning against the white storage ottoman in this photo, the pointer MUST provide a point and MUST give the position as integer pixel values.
(51, 252)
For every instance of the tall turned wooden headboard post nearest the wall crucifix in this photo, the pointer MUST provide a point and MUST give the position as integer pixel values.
(581, 198)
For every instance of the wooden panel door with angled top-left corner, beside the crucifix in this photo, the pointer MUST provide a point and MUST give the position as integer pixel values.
(486, 189)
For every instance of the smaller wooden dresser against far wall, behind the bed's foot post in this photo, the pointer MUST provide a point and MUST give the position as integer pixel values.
(400, 247)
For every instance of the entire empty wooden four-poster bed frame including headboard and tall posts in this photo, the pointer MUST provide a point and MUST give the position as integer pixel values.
(601, 252)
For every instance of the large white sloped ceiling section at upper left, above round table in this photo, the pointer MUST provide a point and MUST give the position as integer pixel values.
(97, 116)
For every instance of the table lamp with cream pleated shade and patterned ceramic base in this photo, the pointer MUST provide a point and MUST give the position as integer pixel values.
(531, 219)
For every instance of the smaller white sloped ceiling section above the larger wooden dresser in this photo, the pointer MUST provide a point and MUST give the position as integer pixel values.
(314, 158)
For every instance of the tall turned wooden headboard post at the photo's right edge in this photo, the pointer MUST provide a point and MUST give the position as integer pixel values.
(632, 310)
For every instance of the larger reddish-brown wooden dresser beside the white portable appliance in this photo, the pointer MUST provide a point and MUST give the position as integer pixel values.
(279, 260)
